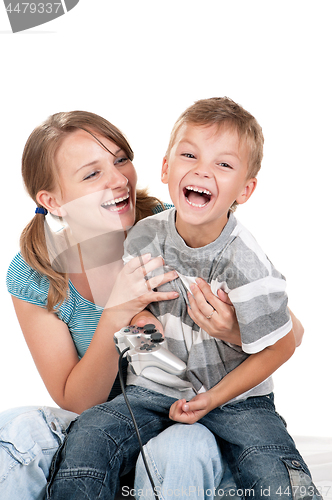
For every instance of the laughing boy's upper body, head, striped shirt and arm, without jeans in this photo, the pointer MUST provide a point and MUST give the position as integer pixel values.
(211, 164)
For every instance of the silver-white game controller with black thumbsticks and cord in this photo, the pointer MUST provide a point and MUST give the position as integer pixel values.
(147, 347)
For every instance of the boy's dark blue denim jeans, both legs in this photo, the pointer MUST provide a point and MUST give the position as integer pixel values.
(102, 445)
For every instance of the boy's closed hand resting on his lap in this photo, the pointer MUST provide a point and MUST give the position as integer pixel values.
(189, 412)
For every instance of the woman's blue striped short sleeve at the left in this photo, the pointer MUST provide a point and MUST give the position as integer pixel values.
(26, 283)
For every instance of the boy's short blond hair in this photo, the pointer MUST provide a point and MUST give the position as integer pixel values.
(221, 111)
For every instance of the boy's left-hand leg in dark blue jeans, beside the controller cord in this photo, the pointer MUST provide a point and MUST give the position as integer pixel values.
(102, 445)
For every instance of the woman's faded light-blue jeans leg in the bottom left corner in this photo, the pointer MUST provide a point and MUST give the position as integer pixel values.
(29, 437)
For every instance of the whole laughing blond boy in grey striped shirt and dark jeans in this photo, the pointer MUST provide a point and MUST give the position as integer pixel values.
(210, 166)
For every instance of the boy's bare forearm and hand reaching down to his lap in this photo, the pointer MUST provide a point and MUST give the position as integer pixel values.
(251, 372)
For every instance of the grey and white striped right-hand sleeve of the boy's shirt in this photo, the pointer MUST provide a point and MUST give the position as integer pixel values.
(258, 292)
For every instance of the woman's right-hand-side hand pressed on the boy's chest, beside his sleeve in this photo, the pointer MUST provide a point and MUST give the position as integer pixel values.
(215, 315)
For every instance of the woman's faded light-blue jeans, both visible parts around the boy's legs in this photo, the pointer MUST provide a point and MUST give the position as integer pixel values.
(29, 438)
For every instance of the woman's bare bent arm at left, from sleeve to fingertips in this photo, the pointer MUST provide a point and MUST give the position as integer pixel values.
(77, 384)
